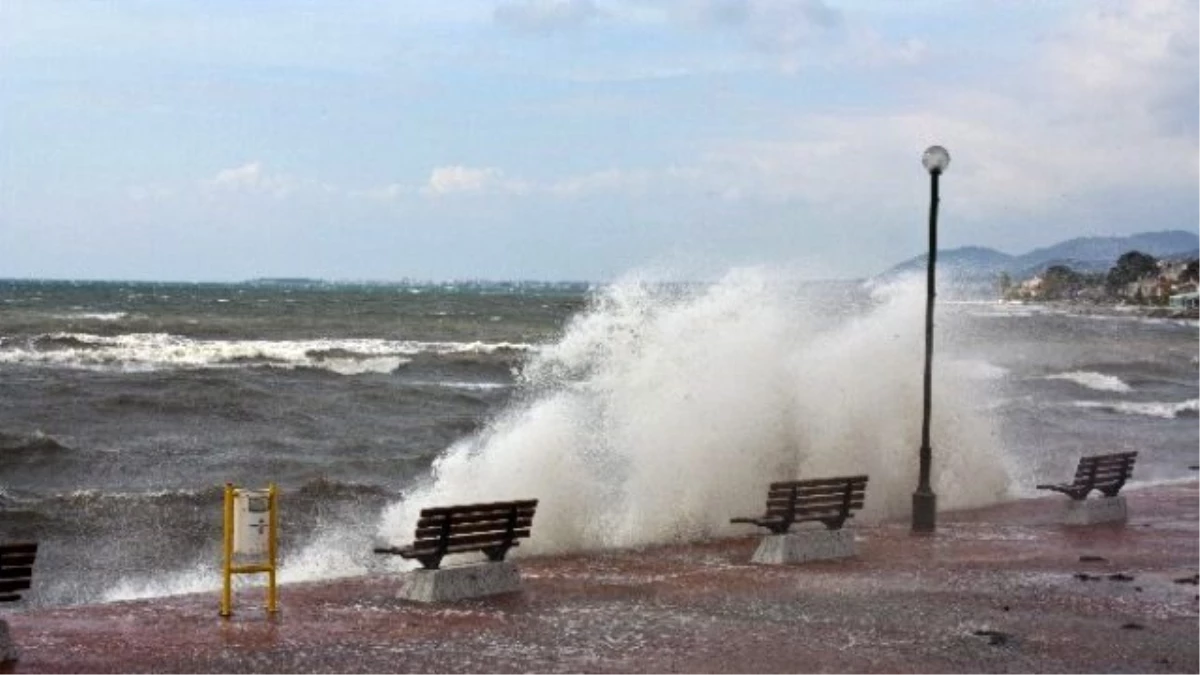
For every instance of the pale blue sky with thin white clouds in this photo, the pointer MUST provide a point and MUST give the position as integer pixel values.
(580, 140)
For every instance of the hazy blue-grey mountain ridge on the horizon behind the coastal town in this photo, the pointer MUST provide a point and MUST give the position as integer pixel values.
(1082, 254)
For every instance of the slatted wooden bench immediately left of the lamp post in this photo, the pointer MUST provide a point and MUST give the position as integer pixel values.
(830, 501)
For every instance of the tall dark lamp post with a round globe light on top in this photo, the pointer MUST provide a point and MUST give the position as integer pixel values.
(925, 501)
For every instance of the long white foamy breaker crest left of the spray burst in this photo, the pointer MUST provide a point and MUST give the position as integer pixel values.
(159, 351)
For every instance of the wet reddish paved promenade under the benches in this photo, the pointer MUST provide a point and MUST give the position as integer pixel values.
(997, 592)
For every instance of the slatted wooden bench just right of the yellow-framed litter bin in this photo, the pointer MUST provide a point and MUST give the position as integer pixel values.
(490, 528)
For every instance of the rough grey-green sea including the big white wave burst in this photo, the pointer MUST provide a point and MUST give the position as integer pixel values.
(640, 413)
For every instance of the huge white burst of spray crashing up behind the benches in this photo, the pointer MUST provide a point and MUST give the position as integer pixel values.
(667, 410)
